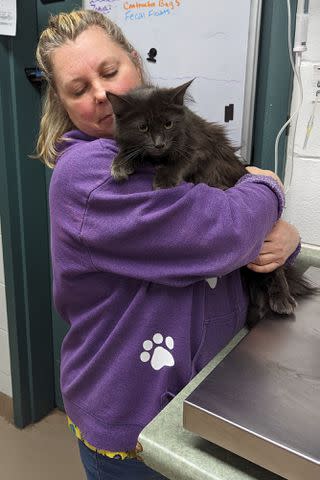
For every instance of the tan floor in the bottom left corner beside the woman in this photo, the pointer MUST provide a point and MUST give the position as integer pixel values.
(44, 451)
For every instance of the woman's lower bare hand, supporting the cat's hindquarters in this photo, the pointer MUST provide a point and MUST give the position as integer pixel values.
(277, 247)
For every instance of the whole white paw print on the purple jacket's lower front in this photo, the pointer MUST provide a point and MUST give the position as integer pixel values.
(160, 357)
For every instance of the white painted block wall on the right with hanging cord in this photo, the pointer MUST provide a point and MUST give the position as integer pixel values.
(303, 197)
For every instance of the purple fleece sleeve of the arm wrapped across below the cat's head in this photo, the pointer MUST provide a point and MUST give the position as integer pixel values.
(180, 235)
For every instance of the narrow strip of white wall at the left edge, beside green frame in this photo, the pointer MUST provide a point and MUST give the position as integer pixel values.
(5, 369)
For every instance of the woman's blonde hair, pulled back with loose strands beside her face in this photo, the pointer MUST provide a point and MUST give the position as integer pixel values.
(55, 121)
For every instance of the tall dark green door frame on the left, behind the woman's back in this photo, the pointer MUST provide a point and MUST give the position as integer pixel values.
(24, 226)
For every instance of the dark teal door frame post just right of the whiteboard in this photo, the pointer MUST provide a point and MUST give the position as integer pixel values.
(274, 85)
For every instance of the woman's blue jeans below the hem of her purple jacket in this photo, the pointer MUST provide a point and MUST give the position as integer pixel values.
(99, 467)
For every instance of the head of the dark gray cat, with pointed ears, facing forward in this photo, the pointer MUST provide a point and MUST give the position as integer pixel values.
(150, 119)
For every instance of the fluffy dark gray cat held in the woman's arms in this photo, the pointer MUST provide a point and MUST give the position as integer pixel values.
(153, 125)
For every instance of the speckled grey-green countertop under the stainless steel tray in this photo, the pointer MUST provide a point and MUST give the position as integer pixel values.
(179, 454)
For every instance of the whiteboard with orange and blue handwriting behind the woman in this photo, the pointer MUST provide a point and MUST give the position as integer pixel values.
(213, 41)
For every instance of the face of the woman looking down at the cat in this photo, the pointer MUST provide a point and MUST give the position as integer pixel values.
(84, 69)
